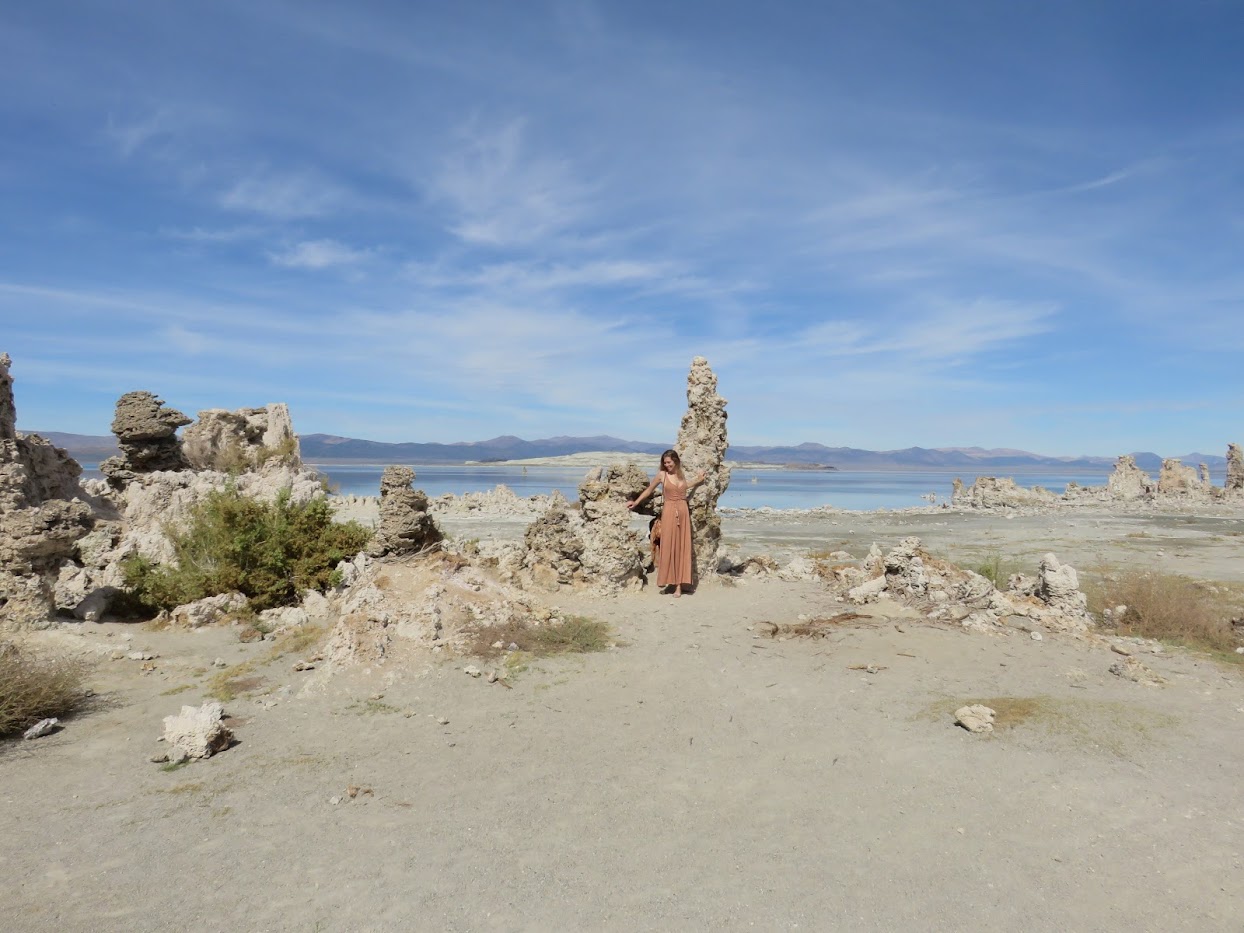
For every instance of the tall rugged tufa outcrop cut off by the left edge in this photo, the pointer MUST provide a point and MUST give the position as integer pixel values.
(43, 516)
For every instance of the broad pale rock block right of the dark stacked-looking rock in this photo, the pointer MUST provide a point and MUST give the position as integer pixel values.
(243, 440)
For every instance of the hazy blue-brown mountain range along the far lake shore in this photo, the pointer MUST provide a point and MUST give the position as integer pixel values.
(328, 448)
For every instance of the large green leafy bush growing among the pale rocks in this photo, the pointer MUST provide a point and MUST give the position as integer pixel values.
(268, 552)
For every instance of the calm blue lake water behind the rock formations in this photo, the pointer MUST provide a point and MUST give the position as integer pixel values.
(750, 490)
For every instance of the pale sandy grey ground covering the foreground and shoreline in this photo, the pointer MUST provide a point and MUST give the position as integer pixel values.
(696, 777)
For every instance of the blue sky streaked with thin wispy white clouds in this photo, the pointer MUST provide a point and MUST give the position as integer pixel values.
(885, 225)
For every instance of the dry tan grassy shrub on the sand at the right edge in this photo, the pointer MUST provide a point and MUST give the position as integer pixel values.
(1171, 609)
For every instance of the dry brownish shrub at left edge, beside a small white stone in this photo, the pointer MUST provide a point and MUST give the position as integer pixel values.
(35, 687)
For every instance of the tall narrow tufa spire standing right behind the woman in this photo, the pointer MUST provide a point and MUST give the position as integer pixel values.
(702, 443)
